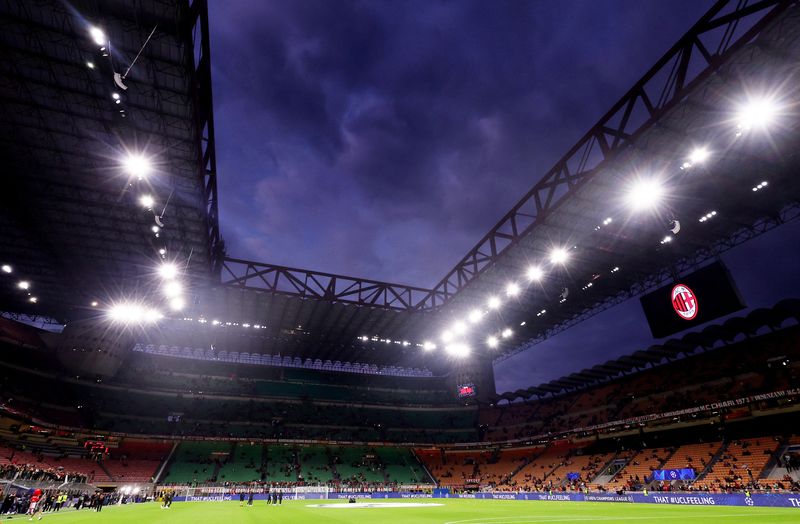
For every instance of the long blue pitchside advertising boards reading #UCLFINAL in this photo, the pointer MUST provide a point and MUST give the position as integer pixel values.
(784, 500)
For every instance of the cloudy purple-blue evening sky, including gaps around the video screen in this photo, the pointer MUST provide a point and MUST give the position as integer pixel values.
(383, 139)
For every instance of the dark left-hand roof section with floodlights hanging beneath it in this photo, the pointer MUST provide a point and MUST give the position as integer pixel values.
(70, 213)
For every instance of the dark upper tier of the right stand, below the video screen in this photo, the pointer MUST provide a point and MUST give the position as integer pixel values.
(734, 371)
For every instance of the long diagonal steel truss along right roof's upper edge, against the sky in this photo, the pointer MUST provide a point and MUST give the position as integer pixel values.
(685, 65)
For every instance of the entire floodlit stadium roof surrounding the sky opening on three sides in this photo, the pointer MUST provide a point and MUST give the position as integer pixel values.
(81, 234)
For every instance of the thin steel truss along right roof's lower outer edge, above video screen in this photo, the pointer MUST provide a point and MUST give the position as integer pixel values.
(655, 280)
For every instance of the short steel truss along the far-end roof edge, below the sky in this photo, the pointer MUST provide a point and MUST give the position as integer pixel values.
(322, 286)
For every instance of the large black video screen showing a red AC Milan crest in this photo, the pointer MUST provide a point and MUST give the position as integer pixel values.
(699, 297)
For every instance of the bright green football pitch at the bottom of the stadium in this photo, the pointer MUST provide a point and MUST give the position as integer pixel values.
(430, 511)
